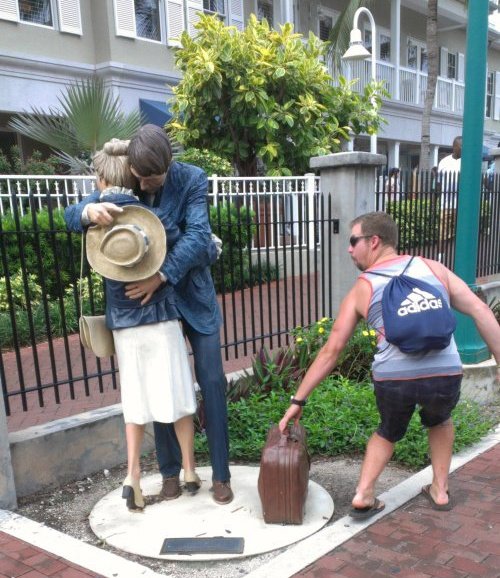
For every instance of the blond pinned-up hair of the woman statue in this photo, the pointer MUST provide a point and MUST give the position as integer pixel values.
(112, 164)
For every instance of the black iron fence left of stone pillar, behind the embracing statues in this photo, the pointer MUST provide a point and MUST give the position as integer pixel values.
(267, 279)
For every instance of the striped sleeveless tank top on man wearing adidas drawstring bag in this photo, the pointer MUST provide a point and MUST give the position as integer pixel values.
(390, 363)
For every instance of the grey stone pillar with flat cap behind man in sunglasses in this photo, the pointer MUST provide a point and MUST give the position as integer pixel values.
(349, 179)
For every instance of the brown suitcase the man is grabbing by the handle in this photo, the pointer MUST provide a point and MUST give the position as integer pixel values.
(284, 476)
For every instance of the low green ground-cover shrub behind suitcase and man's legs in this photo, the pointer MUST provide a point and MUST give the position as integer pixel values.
(339, 418)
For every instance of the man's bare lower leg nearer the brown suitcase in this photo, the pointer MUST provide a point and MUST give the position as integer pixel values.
(378, 453)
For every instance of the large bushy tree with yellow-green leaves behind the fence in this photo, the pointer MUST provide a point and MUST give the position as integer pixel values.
(263, 93)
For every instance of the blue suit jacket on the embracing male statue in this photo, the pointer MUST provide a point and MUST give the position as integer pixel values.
(182, 205)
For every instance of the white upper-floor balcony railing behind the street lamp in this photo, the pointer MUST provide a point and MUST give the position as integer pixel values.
(412, 84)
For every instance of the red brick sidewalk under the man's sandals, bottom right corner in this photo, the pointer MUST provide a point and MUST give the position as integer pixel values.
(418, 542)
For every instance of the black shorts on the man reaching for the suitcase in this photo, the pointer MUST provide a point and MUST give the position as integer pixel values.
(397, 400)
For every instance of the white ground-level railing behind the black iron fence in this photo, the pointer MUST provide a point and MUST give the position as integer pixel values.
(284, 206)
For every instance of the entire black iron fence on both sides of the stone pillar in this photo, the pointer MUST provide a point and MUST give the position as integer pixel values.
(274, 274)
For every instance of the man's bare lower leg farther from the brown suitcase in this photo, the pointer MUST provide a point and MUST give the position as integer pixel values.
(441, 448)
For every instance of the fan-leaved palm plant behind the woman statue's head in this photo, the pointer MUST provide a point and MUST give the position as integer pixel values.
(89, 115)
